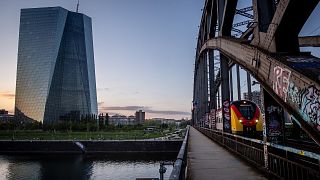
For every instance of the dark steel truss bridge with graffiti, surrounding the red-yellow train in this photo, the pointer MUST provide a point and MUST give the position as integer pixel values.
(266, 44)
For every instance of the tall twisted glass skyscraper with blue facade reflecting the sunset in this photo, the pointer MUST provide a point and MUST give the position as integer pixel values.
(55, 71)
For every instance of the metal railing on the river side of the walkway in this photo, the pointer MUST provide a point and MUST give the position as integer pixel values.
(180, 165)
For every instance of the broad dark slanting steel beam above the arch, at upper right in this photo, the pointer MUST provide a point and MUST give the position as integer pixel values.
(282, 33)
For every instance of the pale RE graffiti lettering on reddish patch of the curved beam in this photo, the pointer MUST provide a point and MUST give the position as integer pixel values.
(281, 77)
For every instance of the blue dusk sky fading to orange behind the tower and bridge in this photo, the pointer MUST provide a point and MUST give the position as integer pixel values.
(144, 51)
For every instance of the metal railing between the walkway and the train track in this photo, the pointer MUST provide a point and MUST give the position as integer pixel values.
(276, 160)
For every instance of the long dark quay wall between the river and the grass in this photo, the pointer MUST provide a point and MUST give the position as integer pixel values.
(90, 147)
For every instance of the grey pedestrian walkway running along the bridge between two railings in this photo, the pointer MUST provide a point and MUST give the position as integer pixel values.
(208, 160)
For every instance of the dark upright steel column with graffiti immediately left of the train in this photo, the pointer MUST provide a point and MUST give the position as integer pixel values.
(224, 61)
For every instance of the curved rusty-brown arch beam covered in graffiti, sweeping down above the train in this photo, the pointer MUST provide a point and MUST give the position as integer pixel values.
(293, 88)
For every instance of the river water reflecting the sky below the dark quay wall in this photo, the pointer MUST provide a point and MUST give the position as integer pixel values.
(79, 167)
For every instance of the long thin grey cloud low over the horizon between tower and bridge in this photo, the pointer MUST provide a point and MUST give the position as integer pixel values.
(145, 108)
